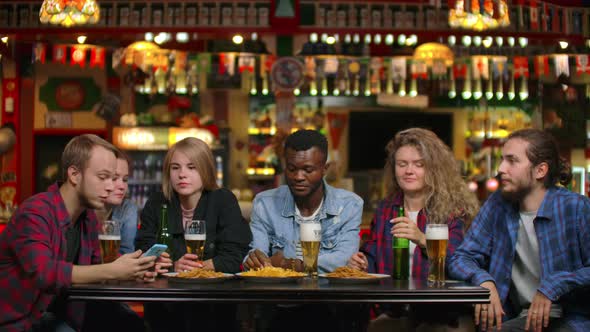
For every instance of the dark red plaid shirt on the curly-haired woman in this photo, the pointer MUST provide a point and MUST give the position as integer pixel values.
(378, 248)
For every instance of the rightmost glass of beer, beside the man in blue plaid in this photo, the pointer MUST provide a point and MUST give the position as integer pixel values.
(437, 238)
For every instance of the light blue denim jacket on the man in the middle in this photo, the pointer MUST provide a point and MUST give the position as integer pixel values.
(274, 227)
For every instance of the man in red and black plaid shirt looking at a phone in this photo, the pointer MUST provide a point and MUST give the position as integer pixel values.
(52, 242)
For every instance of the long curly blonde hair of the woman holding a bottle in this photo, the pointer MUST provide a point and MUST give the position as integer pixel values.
(447, 194)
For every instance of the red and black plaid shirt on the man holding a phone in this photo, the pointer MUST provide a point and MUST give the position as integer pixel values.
(33, 267)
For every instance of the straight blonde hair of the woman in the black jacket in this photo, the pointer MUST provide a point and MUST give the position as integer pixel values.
(200, 155)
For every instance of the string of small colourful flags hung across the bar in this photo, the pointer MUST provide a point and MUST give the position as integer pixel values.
(349, 76)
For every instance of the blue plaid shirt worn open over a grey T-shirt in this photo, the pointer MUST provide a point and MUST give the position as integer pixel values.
(563, 231)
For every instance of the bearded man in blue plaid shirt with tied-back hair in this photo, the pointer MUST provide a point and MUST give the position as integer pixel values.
(530, 243)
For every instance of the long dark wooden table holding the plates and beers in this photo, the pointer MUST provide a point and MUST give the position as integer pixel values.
(303, 291)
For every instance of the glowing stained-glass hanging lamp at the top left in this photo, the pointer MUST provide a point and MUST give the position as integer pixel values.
(69, 12)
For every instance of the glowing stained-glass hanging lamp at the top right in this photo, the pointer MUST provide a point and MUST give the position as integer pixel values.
(479, 15)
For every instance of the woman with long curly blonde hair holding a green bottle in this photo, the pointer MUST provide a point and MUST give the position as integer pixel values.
(421, 175)
